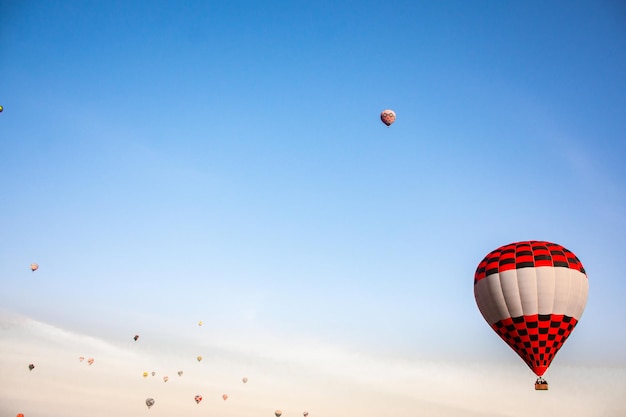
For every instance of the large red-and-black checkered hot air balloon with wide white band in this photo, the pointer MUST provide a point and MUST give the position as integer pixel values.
(532, 294)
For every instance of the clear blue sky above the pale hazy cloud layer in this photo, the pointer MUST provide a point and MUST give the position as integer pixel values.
(224, 162)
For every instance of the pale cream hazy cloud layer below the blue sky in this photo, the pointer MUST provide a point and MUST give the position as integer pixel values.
(325, 380)
